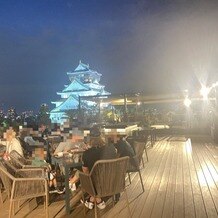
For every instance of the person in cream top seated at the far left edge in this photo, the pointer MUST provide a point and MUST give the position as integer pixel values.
(11, 143)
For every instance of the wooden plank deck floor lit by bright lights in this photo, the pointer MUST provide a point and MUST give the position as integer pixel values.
(180, 180)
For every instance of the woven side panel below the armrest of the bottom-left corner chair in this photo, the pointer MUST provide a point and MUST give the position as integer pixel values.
(24, 188)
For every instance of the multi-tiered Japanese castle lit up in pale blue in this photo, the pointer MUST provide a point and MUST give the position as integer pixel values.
(83, 82)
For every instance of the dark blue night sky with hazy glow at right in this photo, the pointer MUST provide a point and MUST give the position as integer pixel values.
(150, 46)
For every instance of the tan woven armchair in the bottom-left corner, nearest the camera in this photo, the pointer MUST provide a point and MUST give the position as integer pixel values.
(23, 188)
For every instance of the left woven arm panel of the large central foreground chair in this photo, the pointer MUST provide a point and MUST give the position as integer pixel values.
(86, 183)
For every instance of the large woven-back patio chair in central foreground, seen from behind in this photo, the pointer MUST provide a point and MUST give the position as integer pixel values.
(107, 178)
